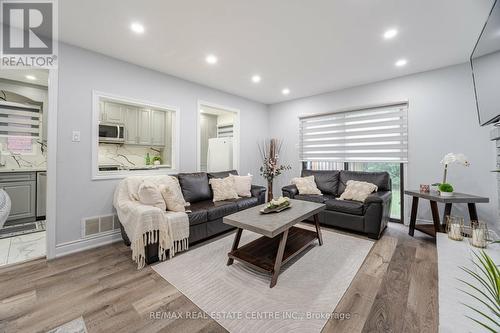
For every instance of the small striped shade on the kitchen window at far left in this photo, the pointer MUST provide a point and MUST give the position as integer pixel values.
(19, 120)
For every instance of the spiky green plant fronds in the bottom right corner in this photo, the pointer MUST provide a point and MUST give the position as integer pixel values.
(484, 288)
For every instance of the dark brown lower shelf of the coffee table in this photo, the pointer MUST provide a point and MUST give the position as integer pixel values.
(260, 254)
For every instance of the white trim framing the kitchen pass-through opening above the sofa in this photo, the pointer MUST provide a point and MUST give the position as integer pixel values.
(96, 174)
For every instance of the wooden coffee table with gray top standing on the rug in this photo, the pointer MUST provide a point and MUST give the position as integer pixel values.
(280, 241)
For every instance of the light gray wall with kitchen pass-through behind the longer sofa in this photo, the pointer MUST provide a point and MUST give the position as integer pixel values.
(80, 71)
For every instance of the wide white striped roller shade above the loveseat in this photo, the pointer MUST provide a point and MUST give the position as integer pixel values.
(375, 134)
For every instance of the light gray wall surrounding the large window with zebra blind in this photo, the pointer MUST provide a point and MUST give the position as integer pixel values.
(442, 118)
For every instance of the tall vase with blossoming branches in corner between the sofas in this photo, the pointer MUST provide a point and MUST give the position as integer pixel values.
(270, 169)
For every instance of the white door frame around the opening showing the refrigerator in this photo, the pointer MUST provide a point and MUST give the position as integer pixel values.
(236, 128)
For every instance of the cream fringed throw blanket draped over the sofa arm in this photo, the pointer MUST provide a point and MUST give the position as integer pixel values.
(141, 221)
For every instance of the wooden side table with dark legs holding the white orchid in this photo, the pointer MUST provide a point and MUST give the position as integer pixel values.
(434, 198)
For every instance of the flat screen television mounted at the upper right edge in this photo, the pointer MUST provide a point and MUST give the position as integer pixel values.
(485, 63)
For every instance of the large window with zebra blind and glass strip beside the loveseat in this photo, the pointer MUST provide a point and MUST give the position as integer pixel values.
(368, 139)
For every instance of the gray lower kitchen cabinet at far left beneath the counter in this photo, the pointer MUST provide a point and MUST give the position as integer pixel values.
(21, 187)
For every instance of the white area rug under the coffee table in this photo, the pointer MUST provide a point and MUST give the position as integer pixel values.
(239, 298)
